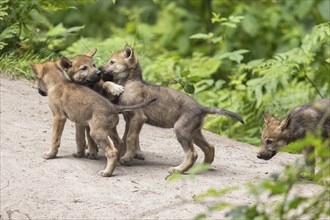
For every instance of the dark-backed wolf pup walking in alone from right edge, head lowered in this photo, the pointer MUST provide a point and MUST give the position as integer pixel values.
(307, 118)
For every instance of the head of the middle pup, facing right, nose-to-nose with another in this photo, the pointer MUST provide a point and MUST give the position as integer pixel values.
(81, 68)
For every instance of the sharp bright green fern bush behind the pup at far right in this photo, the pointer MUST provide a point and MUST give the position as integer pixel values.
(267, 84)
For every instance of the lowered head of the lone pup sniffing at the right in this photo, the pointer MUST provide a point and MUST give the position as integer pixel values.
(273, 136)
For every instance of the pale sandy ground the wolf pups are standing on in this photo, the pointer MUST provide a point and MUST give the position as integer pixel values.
(69, 188)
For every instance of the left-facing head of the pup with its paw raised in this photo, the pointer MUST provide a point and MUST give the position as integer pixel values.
(122, 65)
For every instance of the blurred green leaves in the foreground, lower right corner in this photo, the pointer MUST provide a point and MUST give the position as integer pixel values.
(274, 196)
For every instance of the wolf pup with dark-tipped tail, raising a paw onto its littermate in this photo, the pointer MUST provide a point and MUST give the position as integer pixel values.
(172, 109)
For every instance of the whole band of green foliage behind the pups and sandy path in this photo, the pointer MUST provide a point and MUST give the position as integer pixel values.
(222, 54)
